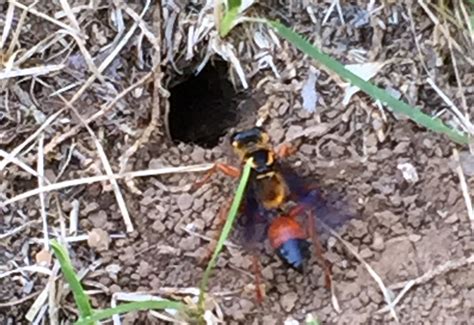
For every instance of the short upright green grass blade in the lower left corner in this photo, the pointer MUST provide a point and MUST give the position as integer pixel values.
(80, 297)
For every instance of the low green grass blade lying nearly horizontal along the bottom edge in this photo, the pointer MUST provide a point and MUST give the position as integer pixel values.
(128, 307)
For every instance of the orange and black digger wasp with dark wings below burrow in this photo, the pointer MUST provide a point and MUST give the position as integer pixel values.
(285, 204)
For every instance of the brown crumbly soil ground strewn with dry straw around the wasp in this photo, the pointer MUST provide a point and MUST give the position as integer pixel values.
(405, 226)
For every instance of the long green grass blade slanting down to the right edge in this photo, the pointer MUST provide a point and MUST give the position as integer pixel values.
(434, 124)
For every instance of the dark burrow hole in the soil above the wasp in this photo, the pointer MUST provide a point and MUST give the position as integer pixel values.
(204, 106)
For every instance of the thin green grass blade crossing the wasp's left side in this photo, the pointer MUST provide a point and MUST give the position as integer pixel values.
(225, 231)
